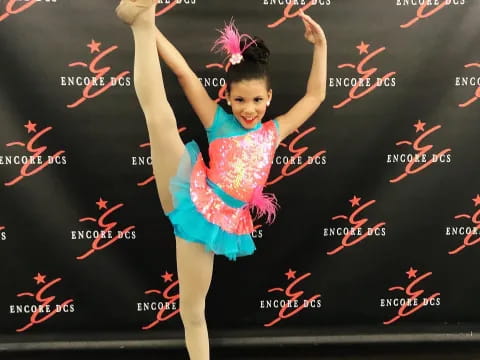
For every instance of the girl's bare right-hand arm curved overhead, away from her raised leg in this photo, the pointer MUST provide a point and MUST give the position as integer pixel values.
(316, 86)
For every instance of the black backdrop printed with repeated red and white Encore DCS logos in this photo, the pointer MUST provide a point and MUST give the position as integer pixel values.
(431, 66)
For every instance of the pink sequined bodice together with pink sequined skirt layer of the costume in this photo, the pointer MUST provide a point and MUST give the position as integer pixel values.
(239, 165)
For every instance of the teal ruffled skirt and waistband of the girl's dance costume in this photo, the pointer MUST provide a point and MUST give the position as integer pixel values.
(189, 224)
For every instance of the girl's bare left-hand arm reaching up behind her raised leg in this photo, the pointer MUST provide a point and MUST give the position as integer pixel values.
(196, 94)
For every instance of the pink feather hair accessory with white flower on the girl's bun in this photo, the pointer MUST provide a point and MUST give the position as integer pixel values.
(230, 42)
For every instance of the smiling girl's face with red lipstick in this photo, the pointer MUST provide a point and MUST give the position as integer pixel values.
(248, 99)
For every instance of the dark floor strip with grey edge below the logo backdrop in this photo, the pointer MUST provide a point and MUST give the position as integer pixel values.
(453, 343)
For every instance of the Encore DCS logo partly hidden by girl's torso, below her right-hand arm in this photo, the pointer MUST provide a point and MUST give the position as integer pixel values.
(296, 157)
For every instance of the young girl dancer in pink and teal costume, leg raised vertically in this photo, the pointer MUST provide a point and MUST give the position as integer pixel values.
(209, 207)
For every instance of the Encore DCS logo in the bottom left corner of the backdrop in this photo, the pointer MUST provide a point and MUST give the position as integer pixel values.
(41, 304)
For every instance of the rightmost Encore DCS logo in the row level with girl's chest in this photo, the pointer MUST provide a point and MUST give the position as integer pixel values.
(421, 157)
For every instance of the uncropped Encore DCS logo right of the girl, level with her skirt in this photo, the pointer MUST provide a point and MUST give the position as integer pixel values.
(357, 229)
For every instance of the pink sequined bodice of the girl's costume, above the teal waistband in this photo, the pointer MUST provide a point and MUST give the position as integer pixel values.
(239, 164)
